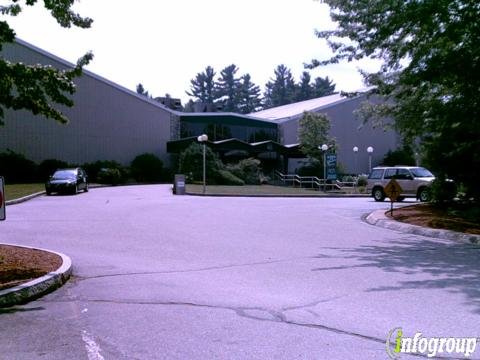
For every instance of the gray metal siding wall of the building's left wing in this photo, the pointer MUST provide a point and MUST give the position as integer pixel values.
(106, 123)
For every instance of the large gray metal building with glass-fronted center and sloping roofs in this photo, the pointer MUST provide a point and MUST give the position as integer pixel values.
(110, 122)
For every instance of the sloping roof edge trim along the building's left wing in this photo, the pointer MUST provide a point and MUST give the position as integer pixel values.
(95, 76)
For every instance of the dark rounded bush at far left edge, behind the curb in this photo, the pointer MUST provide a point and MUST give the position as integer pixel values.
(16, 168)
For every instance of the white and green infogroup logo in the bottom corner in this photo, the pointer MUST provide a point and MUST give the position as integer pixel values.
(397, 344)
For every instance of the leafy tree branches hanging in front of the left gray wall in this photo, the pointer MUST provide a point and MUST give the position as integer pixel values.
(36, 87)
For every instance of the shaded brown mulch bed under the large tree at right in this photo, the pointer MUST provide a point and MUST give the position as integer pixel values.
(435, 217)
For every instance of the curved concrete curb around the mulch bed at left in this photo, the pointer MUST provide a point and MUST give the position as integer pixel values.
(34, 289)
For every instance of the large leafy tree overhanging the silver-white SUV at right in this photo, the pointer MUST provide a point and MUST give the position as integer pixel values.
(430, 74)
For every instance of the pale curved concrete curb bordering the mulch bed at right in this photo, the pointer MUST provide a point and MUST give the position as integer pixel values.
(378, 218)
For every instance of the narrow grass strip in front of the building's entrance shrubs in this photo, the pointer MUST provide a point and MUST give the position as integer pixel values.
(256, 190)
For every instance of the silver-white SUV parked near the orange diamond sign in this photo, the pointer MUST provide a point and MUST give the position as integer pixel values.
(415, 181)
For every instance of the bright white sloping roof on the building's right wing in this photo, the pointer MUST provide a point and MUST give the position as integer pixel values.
(295, 110)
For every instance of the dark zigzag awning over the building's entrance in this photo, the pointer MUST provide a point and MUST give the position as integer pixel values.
(229, 145)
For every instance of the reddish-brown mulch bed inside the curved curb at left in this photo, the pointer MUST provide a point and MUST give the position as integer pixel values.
(19, 265)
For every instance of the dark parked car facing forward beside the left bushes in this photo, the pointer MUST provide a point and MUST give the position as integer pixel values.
(67, 181)
